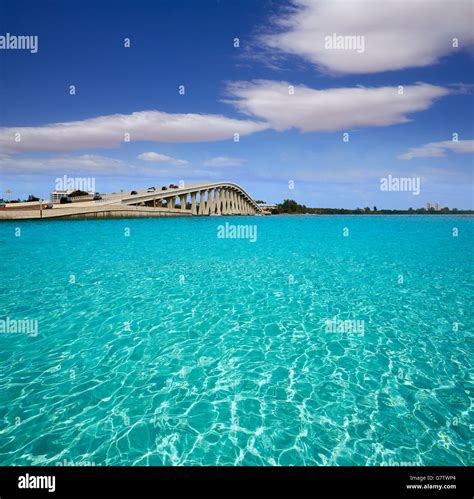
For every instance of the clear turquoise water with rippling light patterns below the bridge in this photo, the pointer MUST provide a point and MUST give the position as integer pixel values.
(176, 347)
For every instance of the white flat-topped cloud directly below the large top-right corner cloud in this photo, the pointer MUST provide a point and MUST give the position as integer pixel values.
(313, 110)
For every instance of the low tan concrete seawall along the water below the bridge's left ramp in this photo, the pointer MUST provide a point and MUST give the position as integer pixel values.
(100, 211)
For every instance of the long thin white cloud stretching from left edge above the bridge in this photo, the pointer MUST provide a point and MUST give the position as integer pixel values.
(108, 131)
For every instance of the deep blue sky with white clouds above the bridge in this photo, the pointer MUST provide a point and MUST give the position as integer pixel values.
(285, 140)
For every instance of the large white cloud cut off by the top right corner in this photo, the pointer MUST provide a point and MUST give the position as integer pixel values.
(397, 34)
